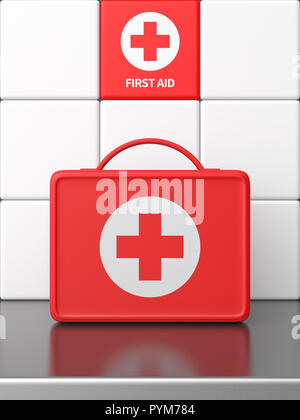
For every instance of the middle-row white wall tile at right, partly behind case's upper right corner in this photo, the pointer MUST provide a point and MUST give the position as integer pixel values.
(259, 137)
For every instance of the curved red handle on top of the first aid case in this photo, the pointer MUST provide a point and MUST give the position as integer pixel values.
(166, 143)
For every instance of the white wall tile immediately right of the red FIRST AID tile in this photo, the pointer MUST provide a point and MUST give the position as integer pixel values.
(250, 49)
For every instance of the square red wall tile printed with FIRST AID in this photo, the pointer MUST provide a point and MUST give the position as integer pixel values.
(150, 50)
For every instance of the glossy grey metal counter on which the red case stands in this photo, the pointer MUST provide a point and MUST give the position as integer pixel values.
(267, 346)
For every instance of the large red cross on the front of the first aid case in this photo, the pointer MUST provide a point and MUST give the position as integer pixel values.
(150, 247)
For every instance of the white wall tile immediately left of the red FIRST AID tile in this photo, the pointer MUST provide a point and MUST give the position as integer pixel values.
(50, 49)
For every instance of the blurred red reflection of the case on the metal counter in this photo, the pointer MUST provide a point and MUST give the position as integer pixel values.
(139, 351)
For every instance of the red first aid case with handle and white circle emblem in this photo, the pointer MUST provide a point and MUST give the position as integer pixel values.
(147, 246)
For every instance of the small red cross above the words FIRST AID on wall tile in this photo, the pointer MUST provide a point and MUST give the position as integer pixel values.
(150, 41)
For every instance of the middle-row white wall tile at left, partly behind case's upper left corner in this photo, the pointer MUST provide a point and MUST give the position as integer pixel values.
(41, 137)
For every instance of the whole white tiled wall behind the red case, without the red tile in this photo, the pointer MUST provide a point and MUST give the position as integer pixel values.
(248, 119)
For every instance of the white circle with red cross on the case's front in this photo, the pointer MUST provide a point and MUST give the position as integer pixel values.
(150, 246)
